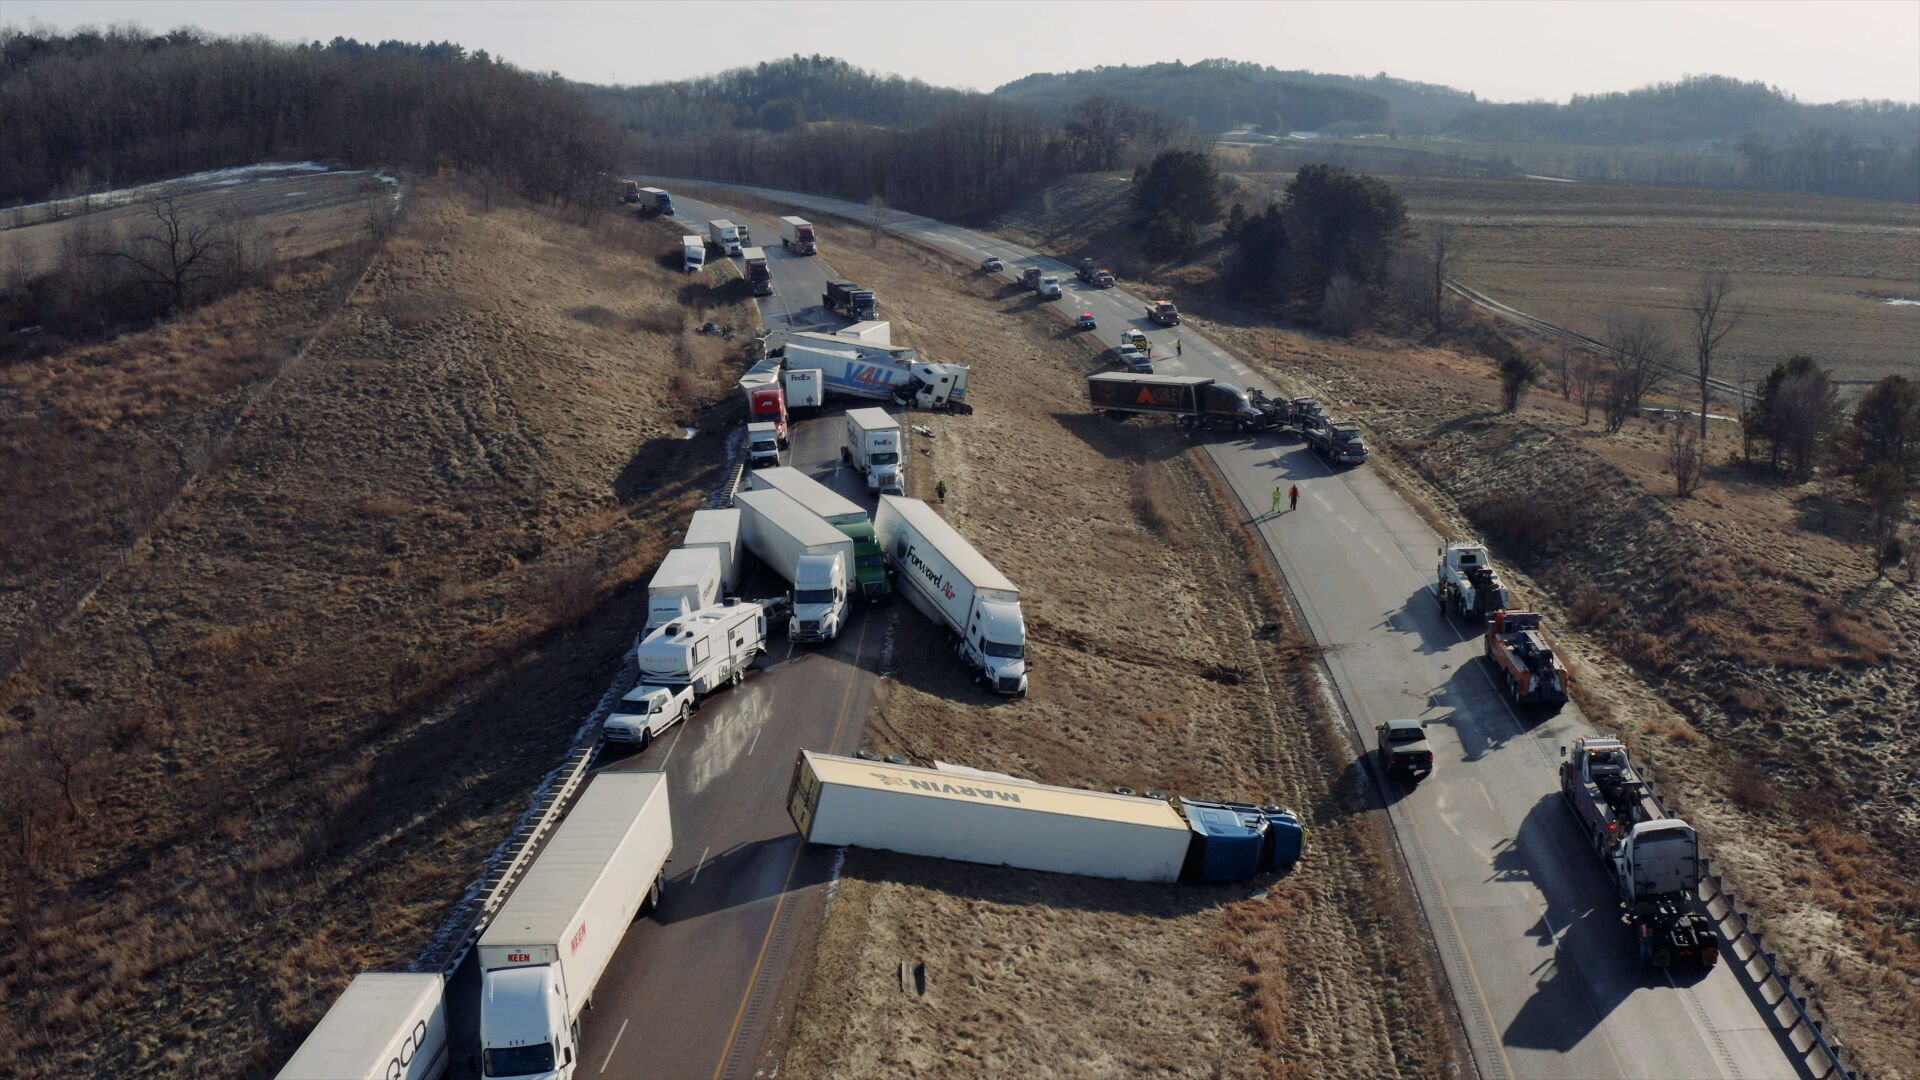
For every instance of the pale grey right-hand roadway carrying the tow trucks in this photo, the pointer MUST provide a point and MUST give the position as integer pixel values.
(1522, 912)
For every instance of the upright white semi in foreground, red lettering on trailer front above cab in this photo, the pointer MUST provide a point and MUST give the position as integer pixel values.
(550, 943)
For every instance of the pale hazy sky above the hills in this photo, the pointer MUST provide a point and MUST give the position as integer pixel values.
(1506, 51)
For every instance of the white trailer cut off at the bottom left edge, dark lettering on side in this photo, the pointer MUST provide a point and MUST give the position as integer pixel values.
(385, 1027)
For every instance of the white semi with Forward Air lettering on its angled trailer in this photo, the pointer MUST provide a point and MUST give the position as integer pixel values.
(959, 589)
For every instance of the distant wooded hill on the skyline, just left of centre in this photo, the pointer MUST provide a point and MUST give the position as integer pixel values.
(777, 97)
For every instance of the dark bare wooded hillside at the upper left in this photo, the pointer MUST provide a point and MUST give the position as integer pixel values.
(93, 110)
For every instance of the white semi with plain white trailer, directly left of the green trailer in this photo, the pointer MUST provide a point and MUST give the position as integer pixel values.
(805, 551)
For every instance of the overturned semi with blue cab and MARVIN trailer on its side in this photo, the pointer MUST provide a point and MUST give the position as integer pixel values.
(1005, 822)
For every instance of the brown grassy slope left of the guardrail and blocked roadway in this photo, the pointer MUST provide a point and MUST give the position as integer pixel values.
(277, 745)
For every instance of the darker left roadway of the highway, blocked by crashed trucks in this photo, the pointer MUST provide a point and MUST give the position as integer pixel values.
(696, 987)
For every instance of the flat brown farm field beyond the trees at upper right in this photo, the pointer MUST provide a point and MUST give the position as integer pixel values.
(1813, 276)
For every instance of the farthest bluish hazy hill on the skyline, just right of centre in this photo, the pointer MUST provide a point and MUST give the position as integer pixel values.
(1214, 95)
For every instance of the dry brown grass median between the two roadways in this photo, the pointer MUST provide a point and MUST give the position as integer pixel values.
(1161, 660)
